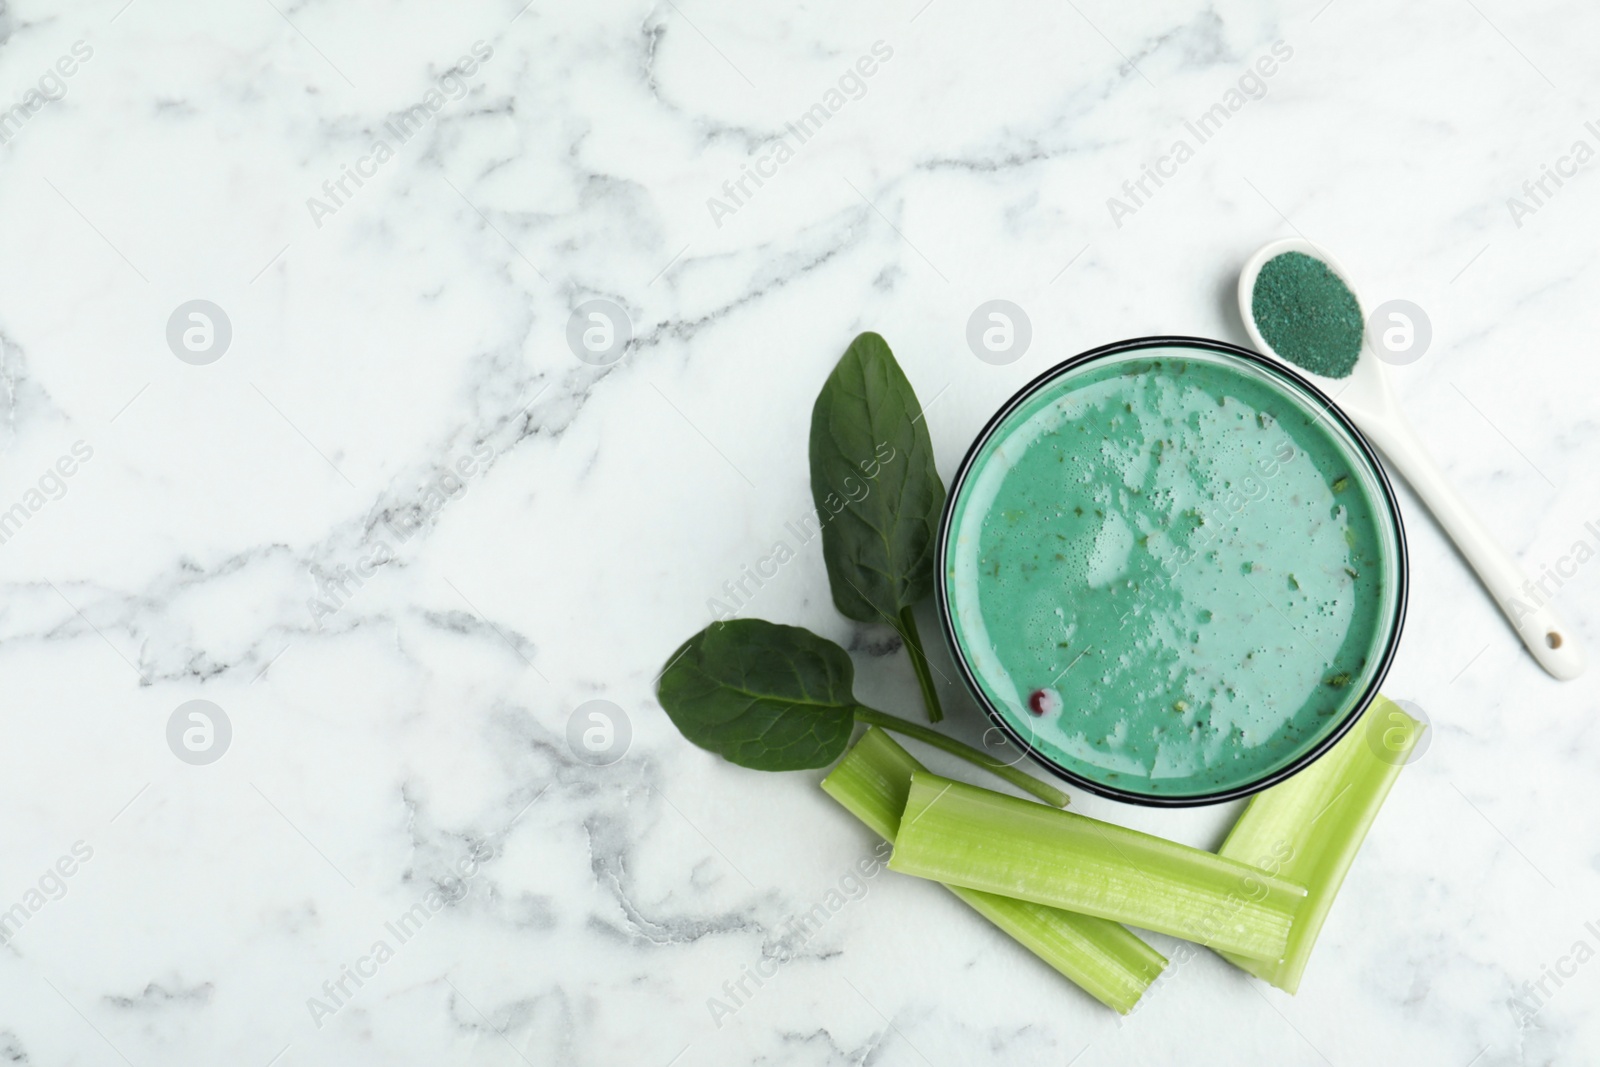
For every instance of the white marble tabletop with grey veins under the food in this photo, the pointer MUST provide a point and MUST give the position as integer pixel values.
(382, 748)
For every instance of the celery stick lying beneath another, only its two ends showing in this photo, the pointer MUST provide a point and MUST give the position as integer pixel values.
(1108, 962)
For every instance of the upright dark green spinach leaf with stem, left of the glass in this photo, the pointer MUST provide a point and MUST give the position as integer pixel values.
(878, 495)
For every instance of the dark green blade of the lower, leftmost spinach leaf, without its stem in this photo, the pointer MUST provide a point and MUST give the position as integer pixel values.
(774, 698)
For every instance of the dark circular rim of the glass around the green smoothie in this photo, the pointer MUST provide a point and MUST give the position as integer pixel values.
(1362, 450)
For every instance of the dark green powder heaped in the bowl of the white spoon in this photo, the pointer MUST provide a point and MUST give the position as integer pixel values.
(1308, 314)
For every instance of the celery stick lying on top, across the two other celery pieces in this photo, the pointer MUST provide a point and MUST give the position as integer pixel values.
(985, 841)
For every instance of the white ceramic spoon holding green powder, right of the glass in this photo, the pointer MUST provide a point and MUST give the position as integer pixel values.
(1367, 399)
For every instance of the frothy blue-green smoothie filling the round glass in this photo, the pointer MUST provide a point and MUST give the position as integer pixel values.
(1170, 575)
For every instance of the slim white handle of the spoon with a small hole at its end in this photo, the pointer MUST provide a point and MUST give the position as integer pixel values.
(1524, 604)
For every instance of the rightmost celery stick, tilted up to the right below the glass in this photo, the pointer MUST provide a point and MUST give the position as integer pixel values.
(1310, 828)
